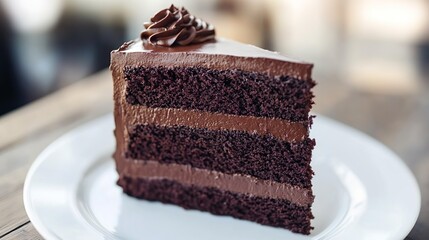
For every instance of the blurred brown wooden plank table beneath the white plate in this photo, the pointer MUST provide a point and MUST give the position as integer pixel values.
(400, 122)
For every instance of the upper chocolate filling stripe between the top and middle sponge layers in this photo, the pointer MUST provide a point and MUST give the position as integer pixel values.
(282, 129)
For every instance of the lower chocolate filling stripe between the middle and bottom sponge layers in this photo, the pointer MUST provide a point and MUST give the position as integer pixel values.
(237, 183)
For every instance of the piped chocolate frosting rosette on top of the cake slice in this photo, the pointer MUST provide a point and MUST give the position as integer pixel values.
(173, 26)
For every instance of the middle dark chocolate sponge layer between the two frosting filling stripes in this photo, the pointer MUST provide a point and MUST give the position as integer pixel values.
(229, 152)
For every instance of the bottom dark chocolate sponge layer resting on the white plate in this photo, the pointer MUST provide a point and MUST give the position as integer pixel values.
(272, 212)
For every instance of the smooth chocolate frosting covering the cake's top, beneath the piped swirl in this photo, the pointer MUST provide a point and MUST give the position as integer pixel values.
(218, 54)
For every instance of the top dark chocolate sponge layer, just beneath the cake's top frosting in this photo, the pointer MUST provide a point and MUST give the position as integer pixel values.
(227, 91)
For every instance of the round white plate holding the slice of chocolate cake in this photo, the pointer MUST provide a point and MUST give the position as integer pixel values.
(363, 191)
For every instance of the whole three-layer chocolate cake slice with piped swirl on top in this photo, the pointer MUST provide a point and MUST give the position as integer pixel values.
(214, 125)
